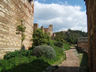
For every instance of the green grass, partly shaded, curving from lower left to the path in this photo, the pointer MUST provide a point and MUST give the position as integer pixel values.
(31, 63)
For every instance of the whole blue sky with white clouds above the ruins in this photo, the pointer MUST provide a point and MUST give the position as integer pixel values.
(62, 14)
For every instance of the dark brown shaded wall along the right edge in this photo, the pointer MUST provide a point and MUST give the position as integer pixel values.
(91, 16)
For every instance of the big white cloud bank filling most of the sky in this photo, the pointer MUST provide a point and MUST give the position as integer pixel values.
(62, 17)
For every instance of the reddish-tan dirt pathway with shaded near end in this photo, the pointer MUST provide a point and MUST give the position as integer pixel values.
(72, 62)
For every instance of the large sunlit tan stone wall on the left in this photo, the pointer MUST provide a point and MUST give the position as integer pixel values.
(11, 14)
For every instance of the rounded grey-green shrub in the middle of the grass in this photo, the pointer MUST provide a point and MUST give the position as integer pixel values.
(45, 51)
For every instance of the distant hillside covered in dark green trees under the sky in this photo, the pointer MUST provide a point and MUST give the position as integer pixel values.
(70, 36)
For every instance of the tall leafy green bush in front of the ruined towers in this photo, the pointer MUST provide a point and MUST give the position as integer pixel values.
(40, 38)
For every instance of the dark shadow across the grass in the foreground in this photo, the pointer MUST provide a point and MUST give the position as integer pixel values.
(35, 66)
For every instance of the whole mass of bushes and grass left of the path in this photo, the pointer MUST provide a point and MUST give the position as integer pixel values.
(44, 53)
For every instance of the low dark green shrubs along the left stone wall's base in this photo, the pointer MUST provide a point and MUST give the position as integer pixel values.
(18, 53)
